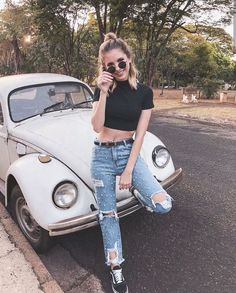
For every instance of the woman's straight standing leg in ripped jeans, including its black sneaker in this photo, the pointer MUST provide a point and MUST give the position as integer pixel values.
(103, 171)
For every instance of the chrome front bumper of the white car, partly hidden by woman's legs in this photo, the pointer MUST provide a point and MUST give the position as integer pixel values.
(124, 208)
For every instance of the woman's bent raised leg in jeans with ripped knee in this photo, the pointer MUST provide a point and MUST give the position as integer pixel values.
(151, 193)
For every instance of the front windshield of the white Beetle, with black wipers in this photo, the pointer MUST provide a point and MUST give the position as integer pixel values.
(39, 99)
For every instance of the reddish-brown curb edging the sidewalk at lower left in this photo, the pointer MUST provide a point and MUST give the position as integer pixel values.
(46, 281)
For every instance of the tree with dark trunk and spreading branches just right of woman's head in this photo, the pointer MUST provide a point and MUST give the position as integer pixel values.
(155, 21)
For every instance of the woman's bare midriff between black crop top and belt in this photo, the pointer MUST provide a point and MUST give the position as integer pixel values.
(109, 134)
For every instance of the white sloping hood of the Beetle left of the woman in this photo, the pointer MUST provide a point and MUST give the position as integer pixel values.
(67, 136)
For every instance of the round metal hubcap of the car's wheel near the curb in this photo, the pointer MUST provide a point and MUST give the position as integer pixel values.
(26, 220)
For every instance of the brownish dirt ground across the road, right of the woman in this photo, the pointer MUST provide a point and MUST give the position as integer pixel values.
(170, 102)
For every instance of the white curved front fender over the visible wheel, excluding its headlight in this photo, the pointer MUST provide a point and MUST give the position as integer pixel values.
(37, 181)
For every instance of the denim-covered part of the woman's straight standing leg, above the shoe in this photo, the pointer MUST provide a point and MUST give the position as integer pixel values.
(104, 181)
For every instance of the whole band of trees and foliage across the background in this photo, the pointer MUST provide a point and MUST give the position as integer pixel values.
(65, 37)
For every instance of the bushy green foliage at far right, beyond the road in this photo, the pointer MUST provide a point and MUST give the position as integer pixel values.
(198, 57)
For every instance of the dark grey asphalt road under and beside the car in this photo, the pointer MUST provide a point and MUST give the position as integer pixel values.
(193, 248)
